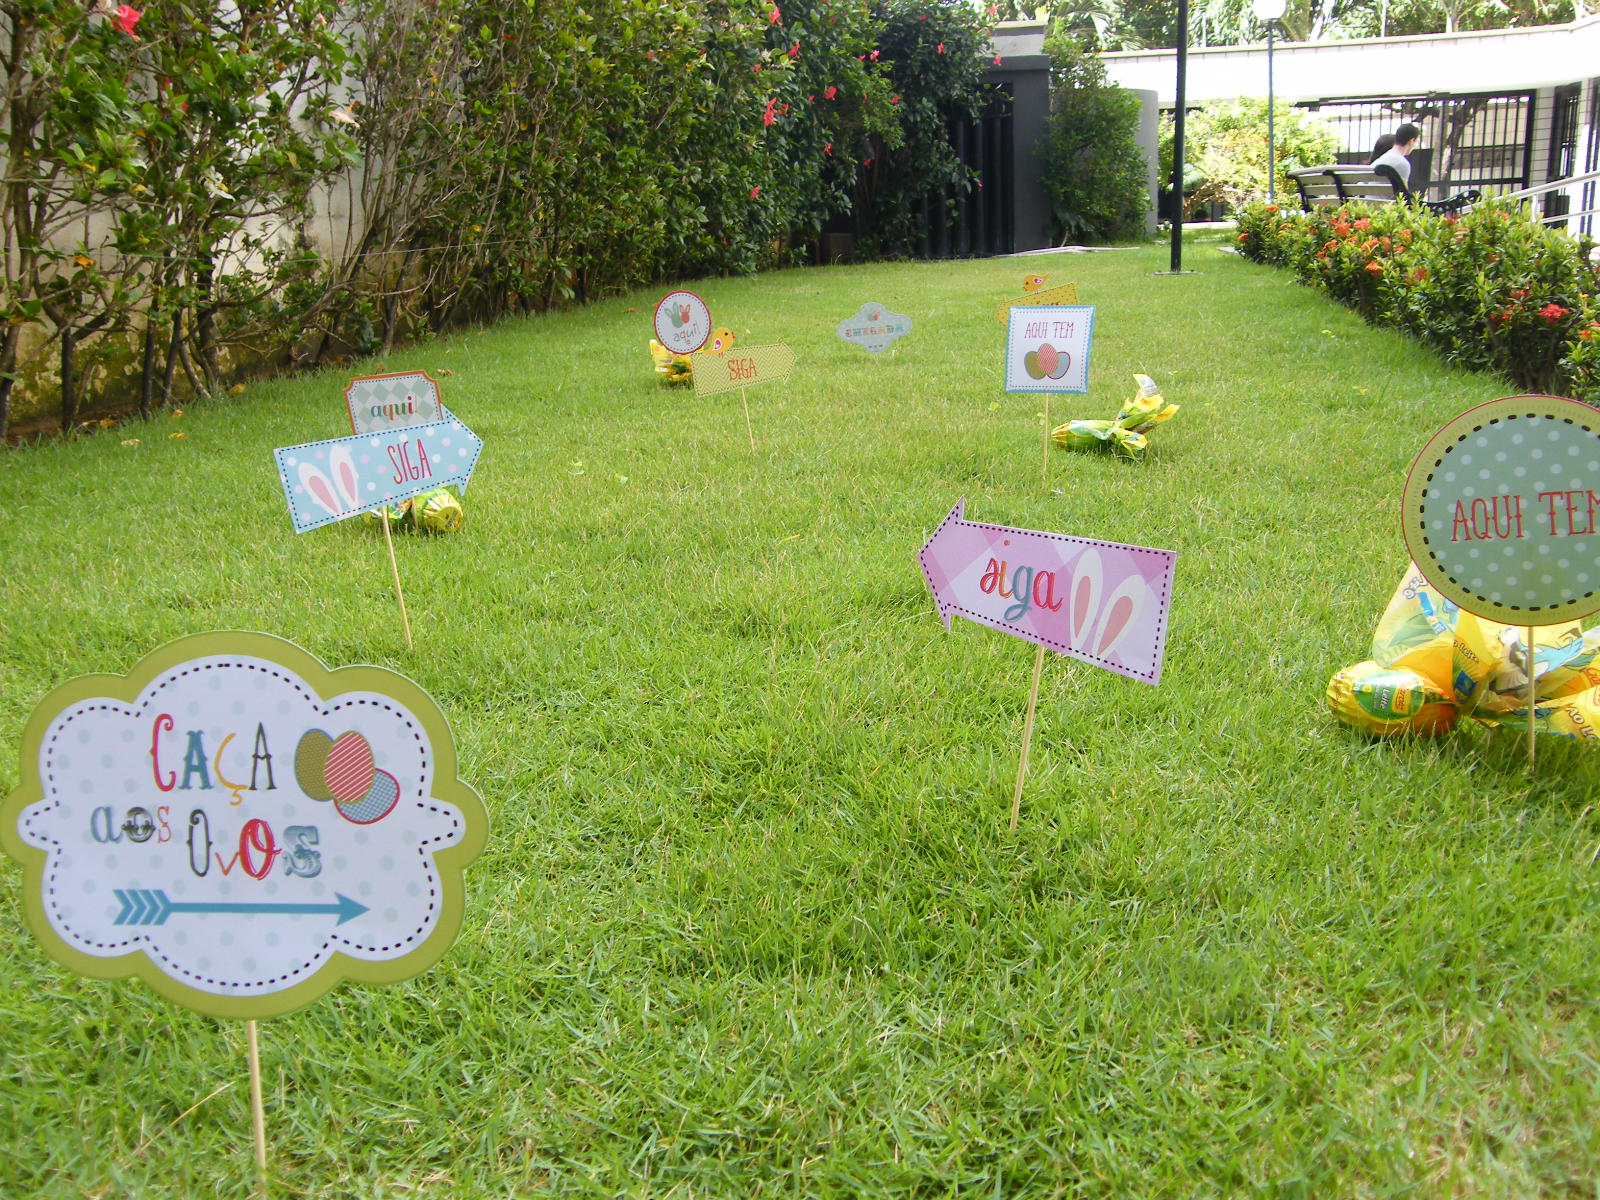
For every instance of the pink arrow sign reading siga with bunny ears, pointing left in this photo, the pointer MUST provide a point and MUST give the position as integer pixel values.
(1098, 602)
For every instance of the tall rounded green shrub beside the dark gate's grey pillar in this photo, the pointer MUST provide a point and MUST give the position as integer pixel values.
(1095, 174)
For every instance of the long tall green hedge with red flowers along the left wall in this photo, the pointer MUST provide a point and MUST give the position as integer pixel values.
(202, 185)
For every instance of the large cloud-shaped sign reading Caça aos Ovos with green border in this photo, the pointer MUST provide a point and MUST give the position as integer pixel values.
(242, 828)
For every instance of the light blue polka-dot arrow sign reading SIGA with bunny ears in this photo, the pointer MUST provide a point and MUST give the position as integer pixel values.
(330, 481)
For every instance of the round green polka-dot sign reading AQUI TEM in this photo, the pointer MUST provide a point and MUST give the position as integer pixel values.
(1502, 511)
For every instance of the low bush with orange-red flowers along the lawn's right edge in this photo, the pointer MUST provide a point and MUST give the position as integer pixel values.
(1492, 289)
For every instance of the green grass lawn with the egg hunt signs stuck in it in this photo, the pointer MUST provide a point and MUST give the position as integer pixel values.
(750, 922)
